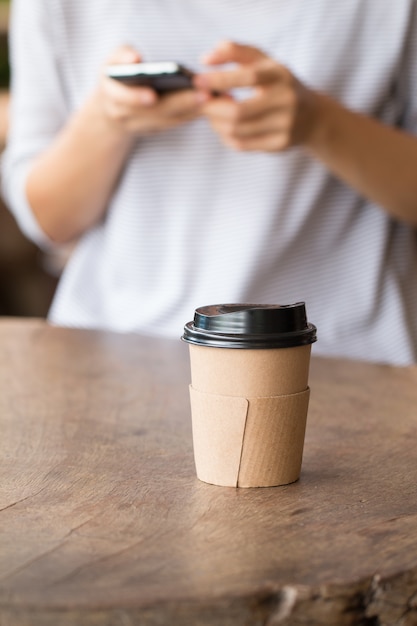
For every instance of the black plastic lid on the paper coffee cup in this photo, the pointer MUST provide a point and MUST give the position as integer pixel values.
(250, 326)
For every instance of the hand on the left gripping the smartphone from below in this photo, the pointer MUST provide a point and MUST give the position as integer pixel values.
(139, 111)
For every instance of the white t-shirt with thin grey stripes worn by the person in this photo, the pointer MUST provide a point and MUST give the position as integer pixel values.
(193, 222)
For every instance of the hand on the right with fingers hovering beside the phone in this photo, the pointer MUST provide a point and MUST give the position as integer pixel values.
(278, 115)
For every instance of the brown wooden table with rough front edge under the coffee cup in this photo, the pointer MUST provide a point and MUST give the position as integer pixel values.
(104, 523)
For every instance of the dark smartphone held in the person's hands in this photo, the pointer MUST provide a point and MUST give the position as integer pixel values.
(161, 76)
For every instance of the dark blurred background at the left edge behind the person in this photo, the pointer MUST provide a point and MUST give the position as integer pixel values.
(28, 277)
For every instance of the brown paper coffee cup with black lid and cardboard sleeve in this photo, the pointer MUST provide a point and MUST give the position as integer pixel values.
(249, 392)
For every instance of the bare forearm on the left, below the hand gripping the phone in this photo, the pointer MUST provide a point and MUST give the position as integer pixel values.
(70, 184)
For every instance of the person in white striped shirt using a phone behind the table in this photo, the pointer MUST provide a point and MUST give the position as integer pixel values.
(286, 171)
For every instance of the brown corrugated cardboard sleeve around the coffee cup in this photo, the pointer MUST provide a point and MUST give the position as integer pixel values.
(248, 442)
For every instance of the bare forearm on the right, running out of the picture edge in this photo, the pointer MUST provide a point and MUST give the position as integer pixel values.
(378, 161)
